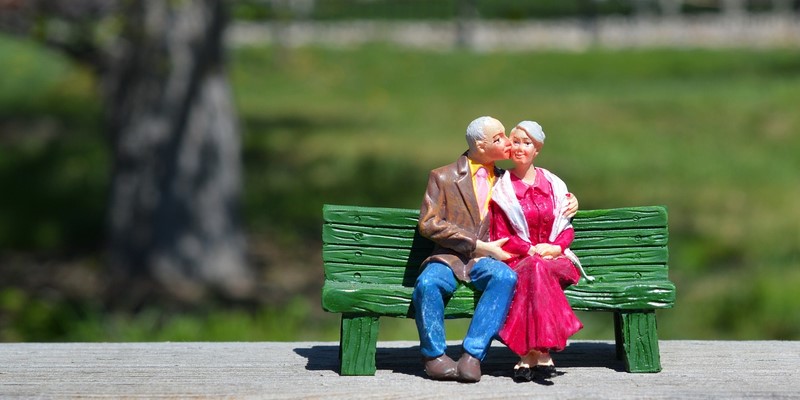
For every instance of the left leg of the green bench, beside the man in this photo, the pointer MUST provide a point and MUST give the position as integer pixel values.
(357, 346)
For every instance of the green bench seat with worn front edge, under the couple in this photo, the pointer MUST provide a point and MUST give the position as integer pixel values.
(395, 300)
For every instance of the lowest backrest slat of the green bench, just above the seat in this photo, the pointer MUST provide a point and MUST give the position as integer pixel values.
(392, 275)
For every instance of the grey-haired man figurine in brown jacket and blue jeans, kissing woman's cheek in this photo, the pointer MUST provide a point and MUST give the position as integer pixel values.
(454, 216)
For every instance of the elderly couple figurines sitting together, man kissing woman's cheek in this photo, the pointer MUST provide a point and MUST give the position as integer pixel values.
(508, 234)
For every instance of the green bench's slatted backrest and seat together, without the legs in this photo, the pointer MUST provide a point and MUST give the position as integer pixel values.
(375, 252)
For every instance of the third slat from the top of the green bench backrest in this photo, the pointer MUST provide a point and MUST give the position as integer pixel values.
(403, 257)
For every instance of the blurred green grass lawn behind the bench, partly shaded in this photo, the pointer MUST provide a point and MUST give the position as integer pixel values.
(713, 135)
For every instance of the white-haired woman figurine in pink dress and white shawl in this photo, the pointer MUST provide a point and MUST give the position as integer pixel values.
(527, 206)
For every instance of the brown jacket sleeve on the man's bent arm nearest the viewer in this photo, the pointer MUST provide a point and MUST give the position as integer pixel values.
(434, 224)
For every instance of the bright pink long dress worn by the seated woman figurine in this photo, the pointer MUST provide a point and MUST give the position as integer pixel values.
(540, 317)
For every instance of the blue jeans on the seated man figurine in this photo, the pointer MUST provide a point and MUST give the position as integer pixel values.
(437, 282)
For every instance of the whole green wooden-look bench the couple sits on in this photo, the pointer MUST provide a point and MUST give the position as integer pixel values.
(372, 256)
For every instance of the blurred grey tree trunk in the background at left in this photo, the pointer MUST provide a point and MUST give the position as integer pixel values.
(174, 201)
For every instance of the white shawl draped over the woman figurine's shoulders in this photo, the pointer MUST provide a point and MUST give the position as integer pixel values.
(503, 194)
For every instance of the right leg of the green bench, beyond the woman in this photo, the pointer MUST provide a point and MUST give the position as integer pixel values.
(637, 340)
